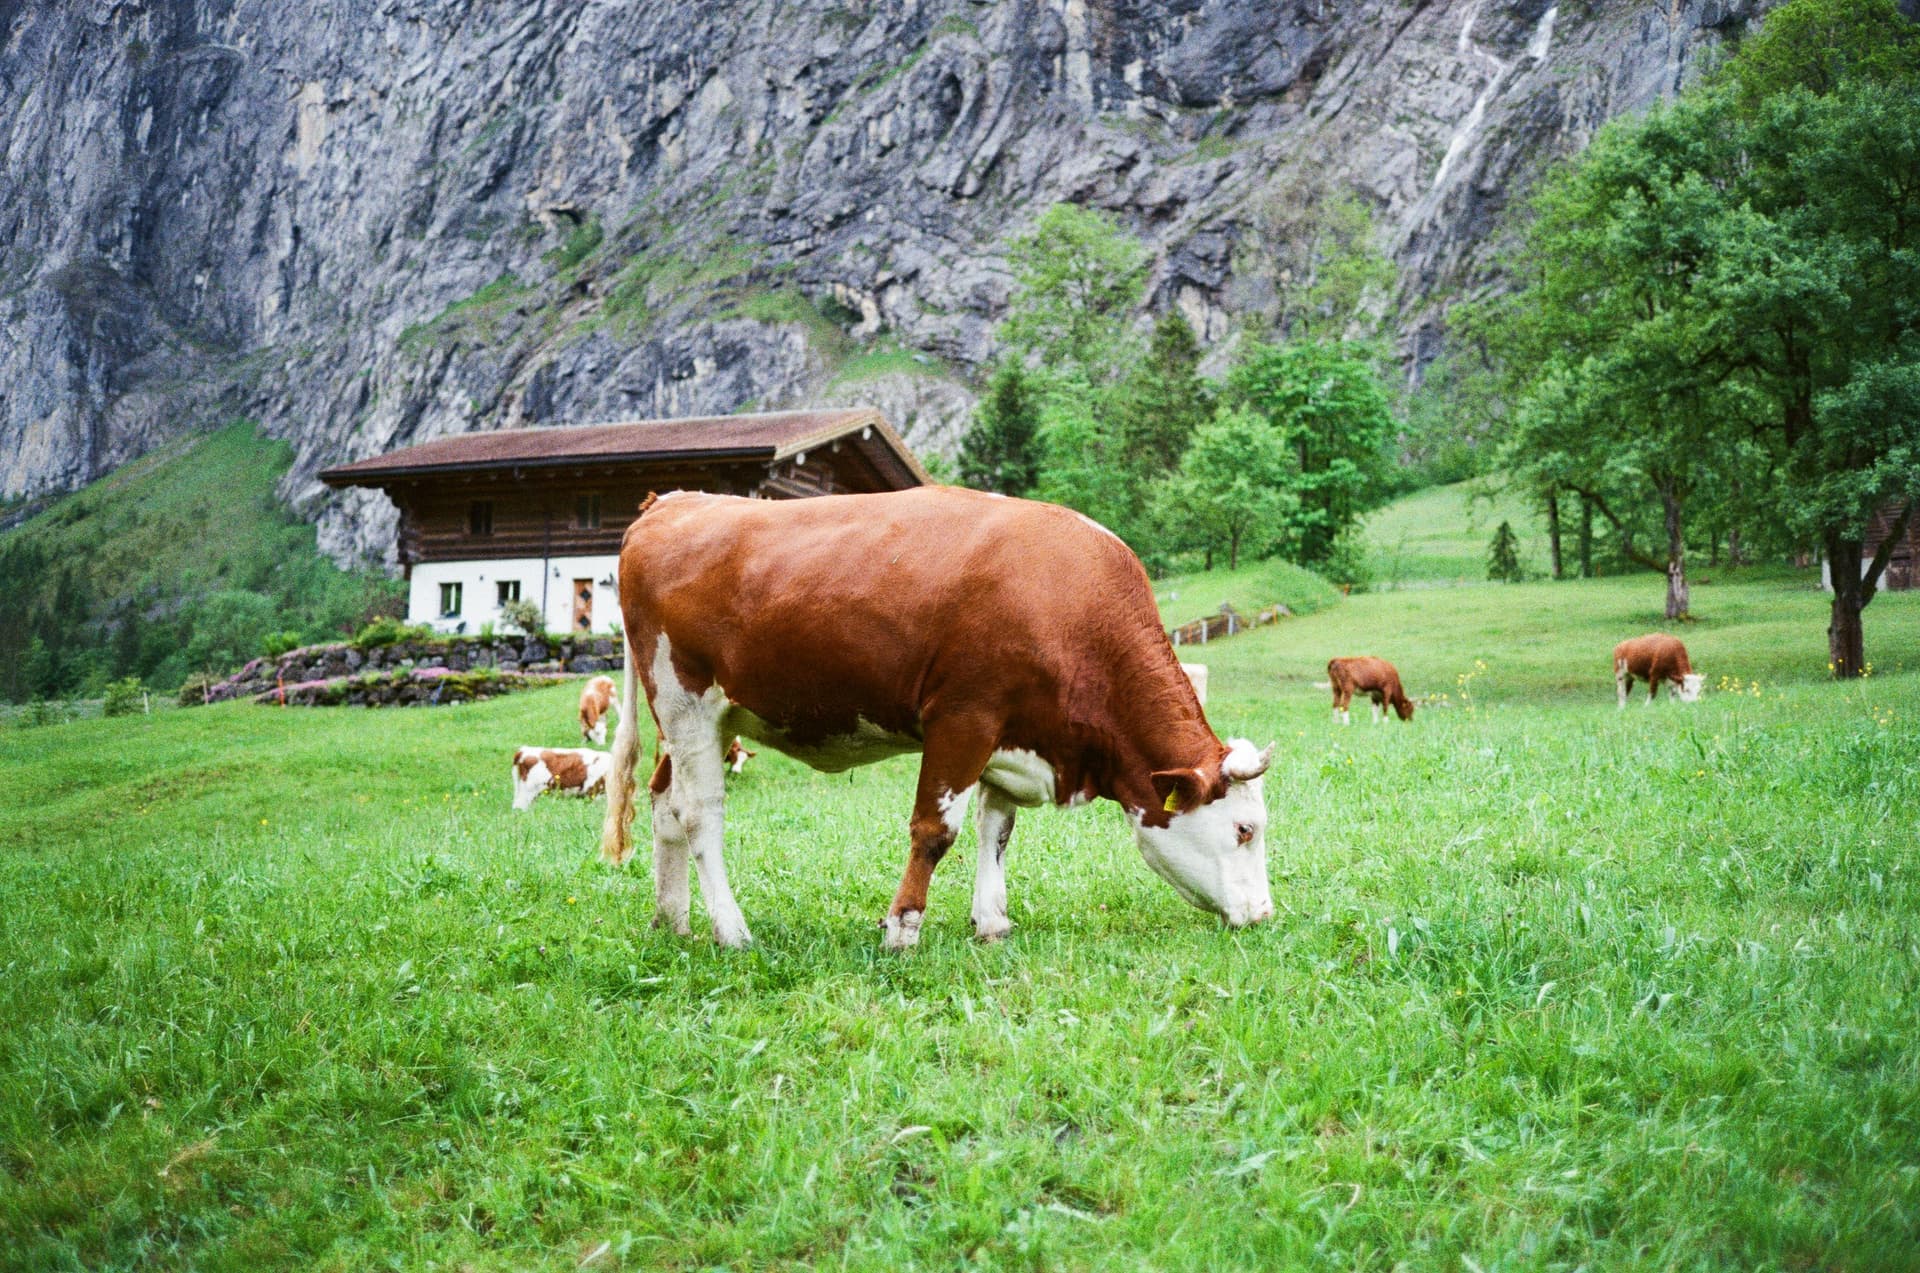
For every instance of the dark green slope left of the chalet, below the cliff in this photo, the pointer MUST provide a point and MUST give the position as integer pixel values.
(180, 562)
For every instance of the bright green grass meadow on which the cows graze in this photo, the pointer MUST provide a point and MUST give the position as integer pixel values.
(1550, 986)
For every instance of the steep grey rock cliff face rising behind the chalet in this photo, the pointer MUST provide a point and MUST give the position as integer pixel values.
(375, 222)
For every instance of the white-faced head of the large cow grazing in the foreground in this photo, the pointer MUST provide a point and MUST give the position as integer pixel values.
(1214, 850)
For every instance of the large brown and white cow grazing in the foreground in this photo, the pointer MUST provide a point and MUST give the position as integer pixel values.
(1013, 644)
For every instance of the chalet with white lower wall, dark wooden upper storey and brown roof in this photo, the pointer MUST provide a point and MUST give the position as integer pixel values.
(539, 514)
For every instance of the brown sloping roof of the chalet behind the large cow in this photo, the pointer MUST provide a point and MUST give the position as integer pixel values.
(767, 437)
